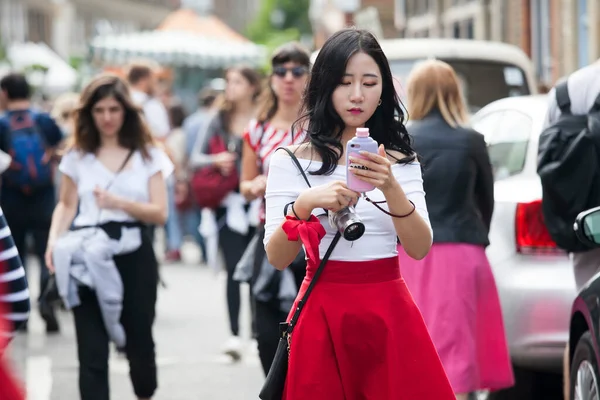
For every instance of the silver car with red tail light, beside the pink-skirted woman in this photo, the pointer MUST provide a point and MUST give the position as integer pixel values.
(534, 278)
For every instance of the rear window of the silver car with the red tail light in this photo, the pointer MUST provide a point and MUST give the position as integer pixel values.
(507, 141)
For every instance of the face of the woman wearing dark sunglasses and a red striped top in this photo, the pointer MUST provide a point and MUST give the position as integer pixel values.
(288, 82)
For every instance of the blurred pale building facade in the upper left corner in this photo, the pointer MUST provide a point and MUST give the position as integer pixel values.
(68, 25)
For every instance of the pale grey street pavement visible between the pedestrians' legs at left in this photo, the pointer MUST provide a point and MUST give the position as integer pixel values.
(191, 327)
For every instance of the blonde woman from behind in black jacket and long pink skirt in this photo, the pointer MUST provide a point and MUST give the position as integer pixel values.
(454, 285)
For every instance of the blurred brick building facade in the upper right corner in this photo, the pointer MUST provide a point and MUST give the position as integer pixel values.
(574, 40)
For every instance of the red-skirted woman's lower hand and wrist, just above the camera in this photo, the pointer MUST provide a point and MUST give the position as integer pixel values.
(332, 196)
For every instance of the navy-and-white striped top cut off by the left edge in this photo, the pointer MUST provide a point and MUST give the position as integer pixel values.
(14, 291)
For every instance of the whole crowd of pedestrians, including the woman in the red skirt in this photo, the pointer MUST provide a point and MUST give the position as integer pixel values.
(117, 160)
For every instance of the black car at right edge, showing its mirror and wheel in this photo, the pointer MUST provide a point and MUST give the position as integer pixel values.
(584, 335)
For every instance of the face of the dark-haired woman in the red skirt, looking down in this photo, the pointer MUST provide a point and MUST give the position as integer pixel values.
(357, 96)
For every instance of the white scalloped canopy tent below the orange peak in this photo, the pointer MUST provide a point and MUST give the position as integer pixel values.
(175, 48)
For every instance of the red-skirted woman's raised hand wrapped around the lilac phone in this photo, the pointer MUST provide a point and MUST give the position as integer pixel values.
(379, 172)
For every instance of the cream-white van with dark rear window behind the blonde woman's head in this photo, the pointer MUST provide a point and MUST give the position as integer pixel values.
(488, 70)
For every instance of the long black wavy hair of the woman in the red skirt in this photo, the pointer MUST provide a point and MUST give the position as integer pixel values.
(323, 124)
